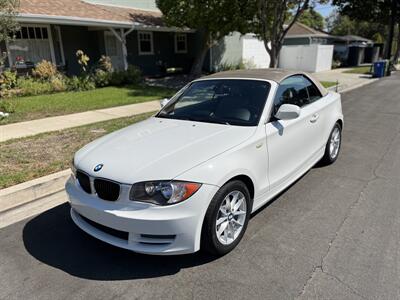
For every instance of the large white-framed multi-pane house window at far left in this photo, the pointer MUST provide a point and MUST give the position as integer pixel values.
(32, 44)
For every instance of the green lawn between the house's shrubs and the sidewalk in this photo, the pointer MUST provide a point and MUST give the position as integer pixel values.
(36, 107)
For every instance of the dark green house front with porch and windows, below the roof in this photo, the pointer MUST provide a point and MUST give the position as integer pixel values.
(153, 50)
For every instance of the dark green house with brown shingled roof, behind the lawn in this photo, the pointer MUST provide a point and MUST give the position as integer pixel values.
(55, 29)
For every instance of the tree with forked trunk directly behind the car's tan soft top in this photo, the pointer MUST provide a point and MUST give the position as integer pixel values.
(271, 22)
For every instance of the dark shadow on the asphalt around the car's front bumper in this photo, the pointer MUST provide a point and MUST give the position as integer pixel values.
(54, 239)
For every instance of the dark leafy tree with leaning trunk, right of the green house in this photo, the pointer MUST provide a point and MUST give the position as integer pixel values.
(214, 19)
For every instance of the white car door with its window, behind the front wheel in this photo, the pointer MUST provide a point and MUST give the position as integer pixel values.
(291, 143)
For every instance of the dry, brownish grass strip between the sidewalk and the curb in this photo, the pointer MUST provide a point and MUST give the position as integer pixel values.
(43, 154)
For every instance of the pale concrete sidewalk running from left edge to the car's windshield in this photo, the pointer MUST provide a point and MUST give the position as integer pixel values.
(23, 129)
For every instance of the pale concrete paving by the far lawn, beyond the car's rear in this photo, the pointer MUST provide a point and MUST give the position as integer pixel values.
(346, 81)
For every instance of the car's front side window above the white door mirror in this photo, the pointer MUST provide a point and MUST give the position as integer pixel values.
(292, 90)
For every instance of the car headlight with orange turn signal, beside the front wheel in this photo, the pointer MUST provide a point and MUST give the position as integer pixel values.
(163, 192)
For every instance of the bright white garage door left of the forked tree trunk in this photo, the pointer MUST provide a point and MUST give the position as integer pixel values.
(254, 52)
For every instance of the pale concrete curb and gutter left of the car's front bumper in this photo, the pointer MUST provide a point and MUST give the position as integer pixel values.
(17, 202)
